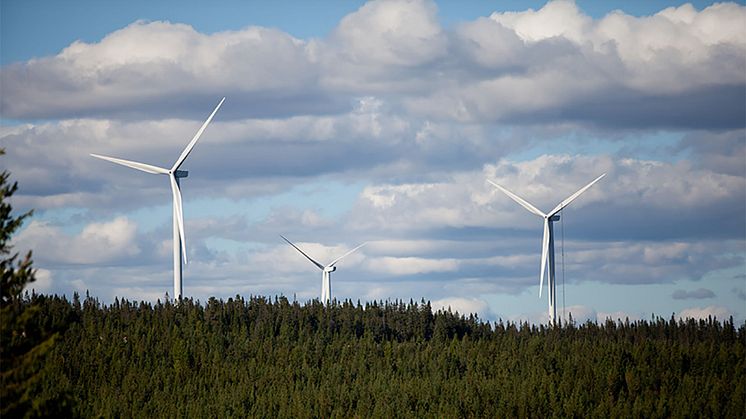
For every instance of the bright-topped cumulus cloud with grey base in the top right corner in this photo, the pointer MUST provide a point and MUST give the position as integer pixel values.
(564, 65)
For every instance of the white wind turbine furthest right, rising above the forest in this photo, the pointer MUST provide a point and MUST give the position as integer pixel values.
(547, 243)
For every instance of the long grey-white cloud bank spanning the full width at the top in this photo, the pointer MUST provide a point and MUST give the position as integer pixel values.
(678, 68)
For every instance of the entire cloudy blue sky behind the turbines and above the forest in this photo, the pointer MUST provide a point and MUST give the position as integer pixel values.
(347, 122)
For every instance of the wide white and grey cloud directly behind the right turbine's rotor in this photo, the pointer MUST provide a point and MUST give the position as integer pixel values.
(641, 197)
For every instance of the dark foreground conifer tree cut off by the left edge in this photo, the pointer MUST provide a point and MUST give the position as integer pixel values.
(33, 384)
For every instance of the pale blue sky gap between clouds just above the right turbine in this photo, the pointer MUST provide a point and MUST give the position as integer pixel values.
(650, 145)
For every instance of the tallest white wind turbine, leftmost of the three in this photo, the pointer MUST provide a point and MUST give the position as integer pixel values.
(174, 175)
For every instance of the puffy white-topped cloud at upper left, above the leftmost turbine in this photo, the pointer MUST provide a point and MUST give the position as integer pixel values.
(142, 68)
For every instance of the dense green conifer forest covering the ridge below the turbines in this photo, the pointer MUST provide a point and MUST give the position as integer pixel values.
(264, 357)
